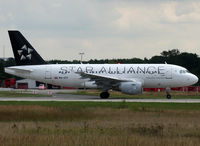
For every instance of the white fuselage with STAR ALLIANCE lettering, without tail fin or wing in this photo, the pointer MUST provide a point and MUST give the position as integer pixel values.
(150, 75)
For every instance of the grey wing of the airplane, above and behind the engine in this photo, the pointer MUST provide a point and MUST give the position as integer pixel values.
(103, 80)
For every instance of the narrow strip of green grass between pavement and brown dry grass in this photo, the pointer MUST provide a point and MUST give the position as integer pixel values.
(136, 106)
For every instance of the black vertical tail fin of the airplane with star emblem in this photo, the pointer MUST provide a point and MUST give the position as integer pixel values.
(24, 53)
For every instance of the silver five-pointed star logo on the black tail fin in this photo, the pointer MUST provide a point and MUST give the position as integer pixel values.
(25, 53)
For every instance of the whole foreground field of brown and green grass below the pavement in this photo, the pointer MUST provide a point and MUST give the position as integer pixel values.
(109, 124)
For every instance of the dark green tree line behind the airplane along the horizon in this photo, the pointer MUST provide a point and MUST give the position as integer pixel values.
(191, 61)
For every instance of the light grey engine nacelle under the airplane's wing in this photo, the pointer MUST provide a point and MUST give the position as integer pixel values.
(131, 87)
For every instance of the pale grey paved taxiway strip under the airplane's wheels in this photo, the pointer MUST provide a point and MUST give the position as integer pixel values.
(85, 98)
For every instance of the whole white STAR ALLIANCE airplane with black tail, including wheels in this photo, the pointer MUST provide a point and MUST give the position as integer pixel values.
(127, 78)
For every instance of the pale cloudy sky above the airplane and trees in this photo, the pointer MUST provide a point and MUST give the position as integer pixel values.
(61, 29)
